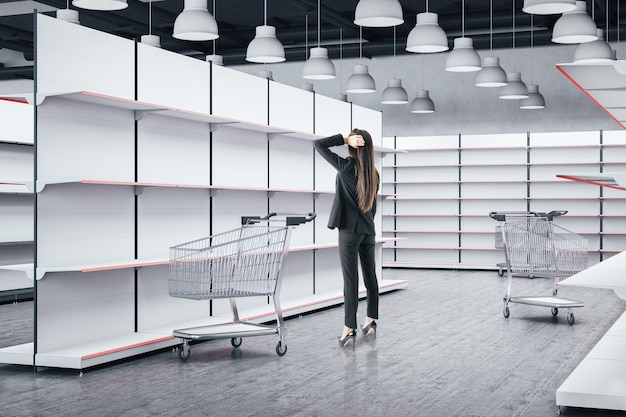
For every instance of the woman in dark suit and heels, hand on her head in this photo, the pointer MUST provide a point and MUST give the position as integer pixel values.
(352, 212)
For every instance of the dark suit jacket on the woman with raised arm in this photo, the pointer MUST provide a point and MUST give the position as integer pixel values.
(345, 213)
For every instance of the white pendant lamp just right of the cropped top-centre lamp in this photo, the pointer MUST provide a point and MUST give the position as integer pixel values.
(427, 36)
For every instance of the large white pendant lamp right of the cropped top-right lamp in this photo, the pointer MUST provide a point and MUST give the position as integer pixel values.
(575, 26)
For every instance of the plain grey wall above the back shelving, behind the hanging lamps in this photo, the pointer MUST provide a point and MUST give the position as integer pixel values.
(461, 107)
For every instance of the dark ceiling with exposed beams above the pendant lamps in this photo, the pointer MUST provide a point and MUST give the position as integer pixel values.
(489, 27)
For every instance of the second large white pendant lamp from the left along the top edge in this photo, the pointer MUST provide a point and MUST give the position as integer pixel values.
(195, 23)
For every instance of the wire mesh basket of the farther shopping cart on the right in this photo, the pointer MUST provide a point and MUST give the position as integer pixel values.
(536, 246)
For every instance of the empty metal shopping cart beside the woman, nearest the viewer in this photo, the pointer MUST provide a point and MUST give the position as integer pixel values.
(243, 262)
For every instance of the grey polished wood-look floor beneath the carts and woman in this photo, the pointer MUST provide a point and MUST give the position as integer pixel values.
(443, 348)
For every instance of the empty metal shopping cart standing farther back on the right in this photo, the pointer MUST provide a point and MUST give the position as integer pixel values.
(534, 246)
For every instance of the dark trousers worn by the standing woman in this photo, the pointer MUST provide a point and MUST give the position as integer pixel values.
(352, 248)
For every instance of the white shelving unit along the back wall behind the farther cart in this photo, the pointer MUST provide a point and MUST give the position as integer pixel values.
(445, 187)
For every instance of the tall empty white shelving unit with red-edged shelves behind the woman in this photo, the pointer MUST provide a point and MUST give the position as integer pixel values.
(132, 158)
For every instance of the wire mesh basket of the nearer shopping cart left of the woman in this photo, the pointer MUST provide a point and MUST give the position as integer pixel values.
(243, 262)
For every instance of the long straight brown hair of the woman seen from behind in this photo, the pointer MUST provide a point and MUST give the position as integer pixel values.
(366, 174)
